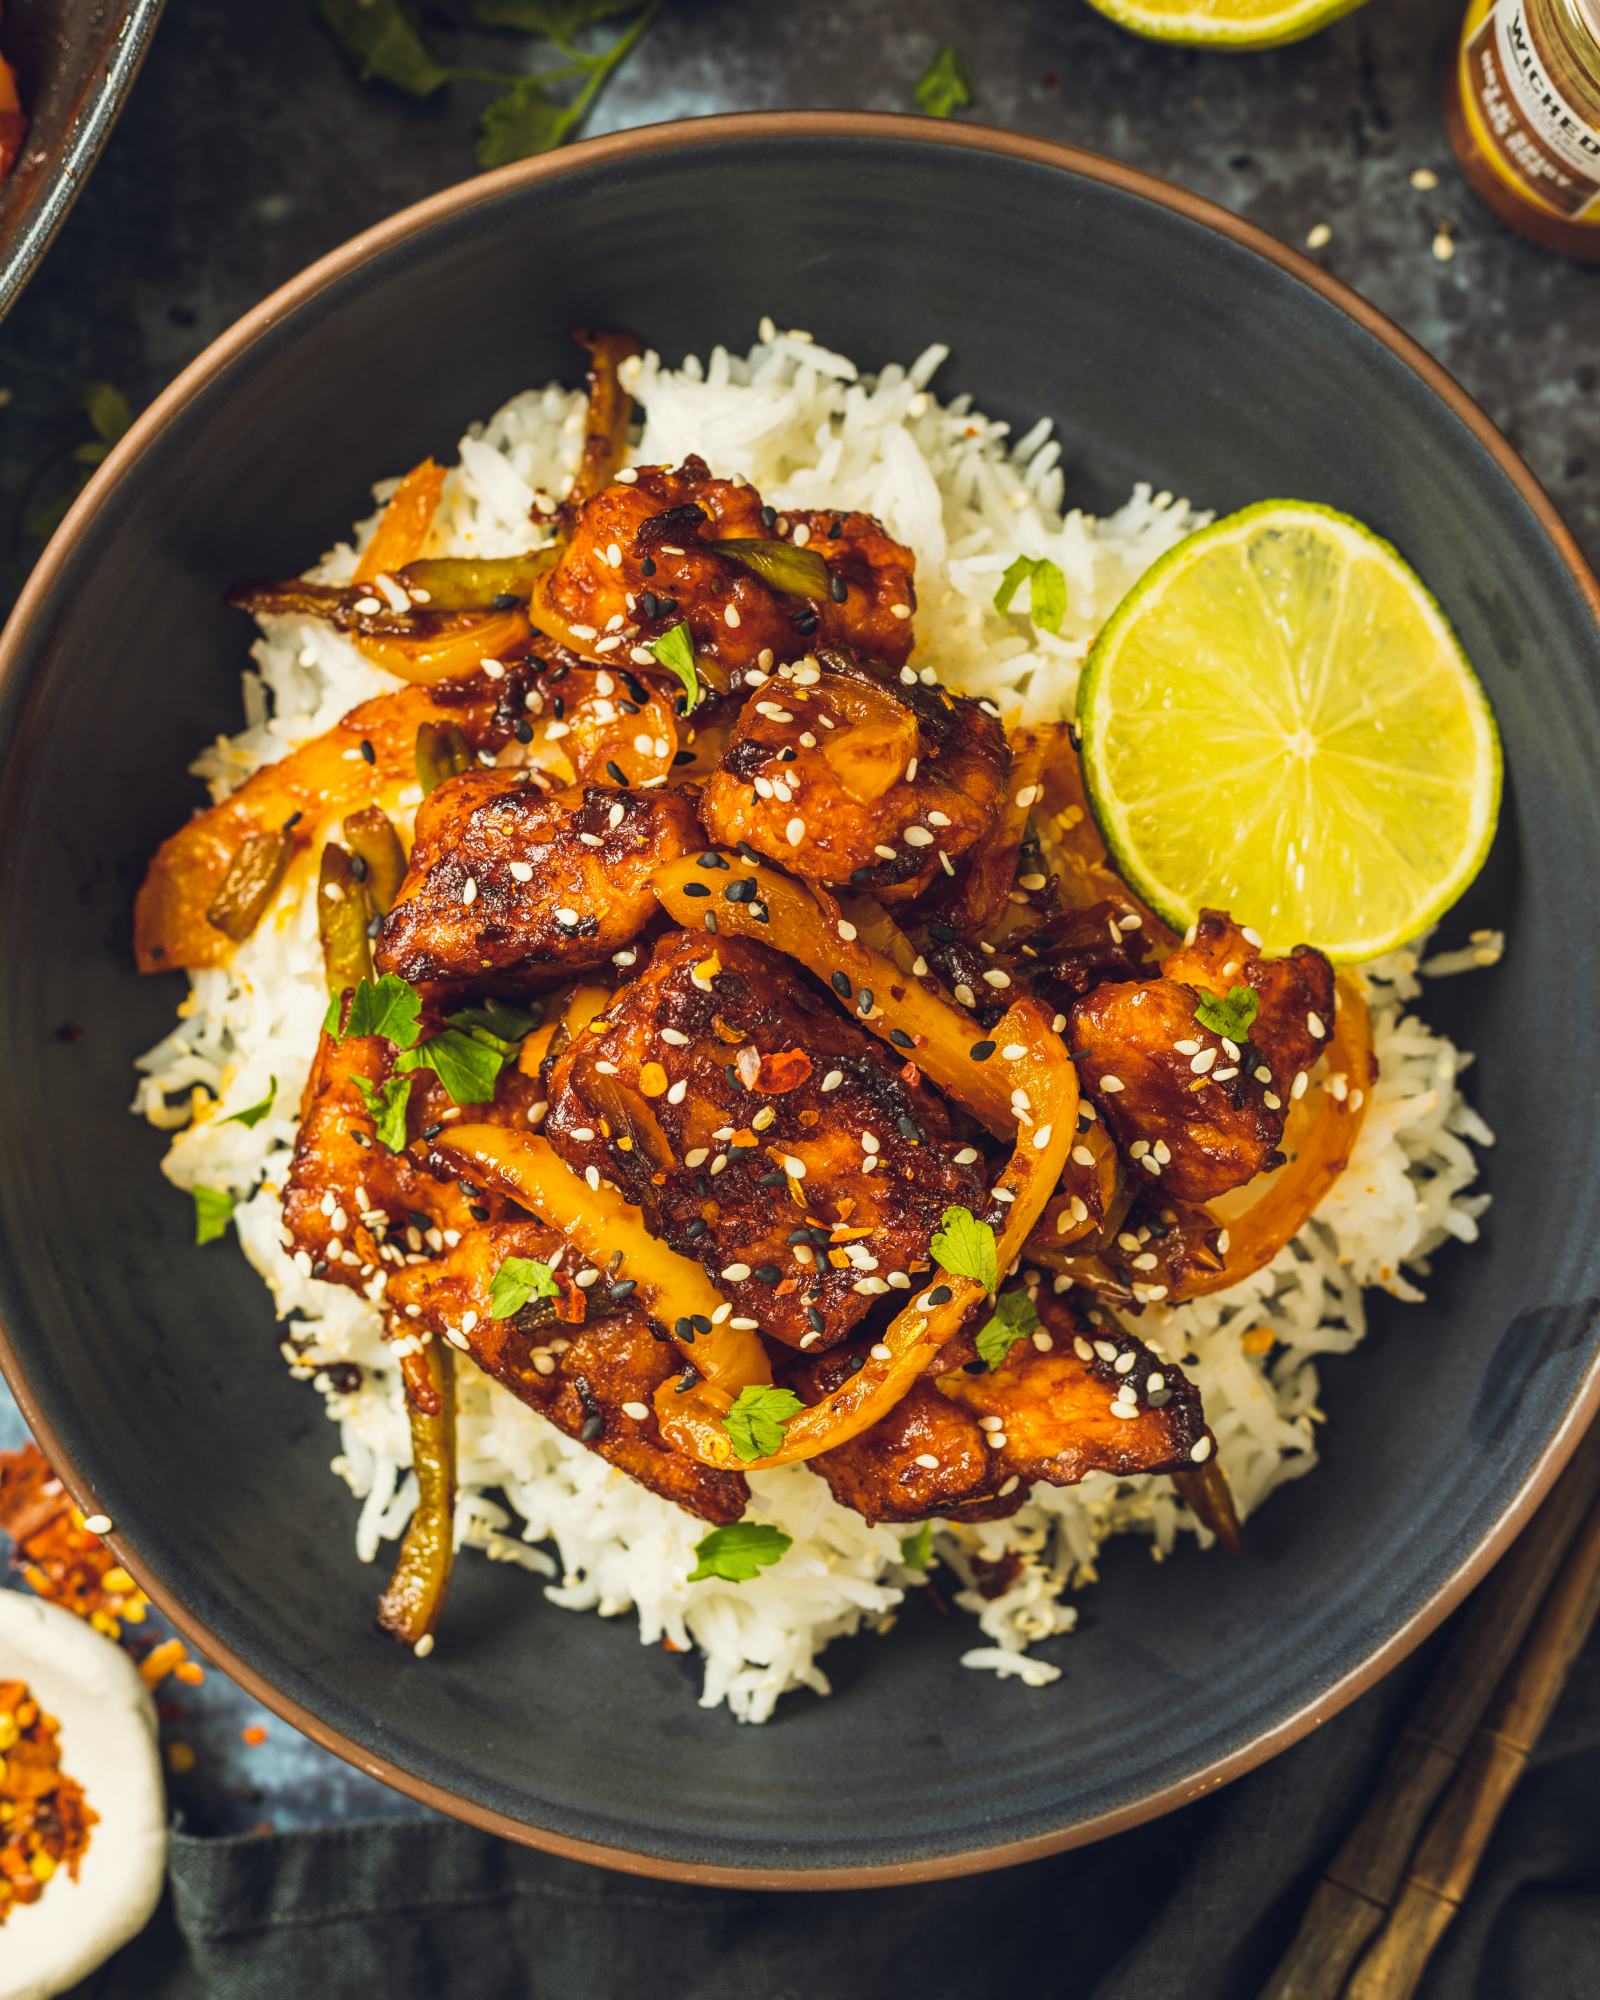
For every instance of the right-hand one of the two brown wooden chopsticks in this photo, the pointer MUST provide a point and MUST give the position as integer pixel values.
(1495, 1761)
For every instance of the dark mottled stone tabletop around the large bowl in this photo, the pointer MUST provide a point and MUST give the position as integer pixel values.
(249, 149)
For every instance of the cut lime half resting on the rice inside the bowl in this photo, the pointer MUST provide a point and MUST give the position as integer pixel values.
(1279, 723)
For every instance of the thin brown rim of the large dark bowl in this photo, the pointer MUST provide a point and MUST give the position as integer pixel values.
(675, 137)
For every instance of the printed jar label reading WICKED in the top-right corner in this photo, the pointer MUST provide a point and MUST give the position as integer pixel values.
(1523, 121)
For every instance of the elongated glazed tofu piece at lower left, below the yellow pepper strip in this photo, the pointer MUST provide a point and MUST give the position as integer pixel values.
(589, 1359)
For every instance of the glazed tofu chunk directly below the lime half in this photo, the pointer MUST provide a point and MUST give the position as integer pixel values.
(1193, 1107)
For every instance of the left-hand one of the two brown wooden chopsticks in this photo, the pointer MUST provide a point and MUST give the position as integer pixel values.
(1365, 1879)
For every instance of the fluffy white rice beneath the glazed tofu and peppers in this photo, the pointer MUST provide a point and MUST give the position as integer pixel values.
(809, 429)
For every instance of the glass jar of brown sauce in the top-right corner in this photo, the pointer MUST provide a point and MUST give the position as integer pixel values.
(1523, 107)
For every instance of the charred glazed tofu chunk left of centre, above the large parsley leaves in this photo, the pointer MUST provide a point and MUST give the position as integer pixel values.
(511, 879)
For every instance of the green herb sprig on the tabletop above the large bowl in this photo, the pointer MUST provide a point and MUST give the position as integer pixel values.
(535, 111)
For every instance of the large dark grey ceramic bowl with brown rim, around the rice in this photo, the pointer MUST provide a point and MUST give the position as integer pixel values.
(1169, 343)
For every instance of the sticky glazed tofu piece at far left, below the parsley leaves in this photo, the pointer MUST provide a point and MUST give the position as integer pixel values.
(355, 1209)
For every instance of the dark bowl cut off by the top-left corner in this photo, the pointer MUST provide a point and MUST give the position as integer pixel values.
(75, 65)
